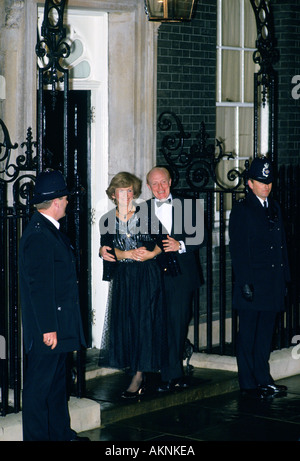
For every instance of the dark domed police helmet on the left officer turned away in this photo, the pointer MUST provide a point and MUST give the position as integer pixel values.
(49, 184)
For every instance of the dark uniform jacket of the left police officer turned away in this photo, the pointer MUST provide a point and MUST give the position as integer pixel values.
(48, 288)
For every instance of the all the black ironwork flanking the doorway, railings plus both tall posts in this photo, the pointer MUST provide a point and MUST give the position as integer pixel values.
(199, 164)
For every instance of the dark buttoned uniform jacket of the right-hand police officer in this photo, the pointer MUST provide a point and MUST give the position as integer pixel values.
(259, 254)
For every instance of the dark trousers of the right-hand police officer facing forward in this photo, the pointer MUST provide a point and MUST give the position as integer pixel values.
(254, 347)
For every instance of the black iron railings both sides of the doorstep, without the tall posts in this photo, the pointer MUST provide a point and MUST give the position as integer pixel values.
(212, 307)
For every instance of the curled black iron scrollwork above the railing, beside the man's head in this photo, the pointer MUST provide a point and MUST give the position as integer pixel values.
(199, 162)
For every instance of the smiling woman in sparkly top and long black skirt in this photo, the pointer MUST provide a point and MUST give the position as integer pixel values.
(134, 335)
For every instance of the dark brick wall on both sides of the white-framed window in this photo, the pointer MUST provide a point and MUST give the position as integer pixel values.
(187, 73)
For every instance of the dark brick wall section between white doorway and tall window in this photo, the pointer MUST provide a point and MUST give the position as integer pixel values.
(186, 70)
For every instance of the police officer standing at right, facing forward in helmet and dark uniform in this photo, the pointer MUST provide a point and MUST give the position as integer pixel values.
(259, 258)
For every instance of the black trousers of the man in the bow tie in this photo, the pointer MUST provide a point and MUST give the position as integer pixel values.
(179, 303)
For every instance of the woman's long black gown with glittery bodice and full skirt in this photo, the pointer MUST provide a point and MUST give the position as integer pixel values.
(134, 333)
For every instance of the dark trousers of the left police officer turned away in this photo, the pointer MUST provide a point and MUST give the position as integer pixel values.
(45, 410)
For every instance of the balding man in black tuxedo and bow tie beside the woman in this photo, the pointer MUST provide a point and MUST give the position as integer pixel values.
(181, 232)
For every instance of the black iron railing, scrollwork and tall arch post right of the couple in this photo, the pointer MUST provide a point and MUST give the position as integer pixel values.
(194, 169)
